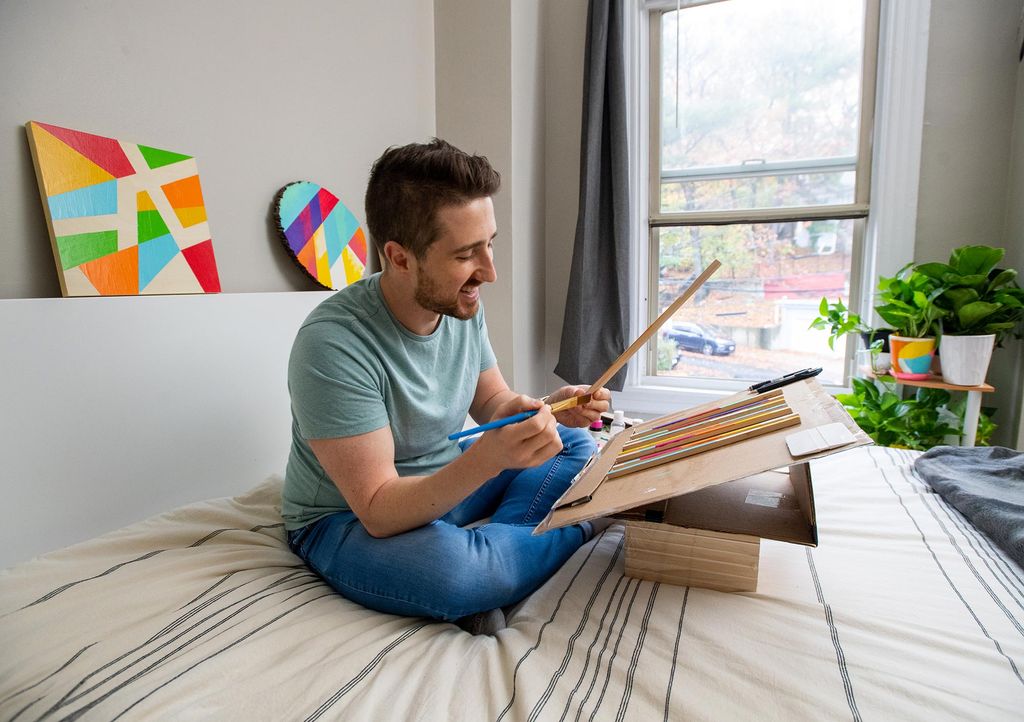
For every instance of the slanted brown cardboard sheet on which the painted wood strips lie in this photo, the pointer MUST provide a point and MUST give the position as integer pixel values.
(593, 496)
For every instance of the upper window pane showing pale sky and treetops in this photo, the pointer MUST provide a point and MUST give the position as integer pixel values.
(767, 89)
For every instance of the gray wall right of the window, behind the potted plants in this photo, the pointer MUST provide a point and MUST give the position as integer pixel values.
(966, 195)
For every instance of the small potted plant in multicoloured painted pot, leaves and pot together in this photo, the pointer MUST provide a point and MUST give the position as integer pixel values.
(907, 303)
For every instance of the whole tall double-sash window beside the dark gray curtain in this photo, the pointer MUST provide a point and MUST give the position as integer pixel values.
(758, 155)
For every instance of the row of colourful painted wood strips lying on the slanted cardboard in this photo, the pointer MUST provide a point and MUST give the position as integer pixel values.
(686, 437)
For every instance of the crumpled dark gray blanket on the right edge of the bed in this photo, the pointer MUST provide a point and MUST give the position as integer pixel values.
(987, 485)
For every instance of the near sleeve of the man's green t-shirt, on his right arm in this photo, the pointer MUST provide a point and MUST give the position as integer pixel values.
(335, 390)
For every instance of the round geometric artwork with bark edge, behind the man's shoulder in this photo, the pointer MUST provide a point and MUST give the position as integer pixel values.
(321, 235)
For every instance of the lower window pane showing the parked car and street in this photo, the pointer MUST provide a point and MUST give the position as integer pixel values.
(750, 321)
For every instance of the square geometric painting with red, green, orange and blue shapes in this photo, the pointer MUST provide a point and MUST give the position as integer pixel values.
(124, 220)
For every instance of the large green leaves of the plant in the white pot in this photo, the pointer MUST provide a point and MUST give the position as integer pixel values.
(976, 298)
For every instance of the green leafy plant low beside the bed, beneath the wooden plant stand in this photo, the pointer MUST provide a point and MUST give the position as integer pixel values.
(920, 422)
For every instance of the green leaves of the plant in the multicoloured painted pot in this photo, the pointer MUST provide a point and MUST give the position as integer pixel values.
(907, 303)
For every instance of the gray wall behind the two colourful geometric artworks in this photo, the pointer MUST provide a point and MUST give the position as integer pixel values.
(262, 94)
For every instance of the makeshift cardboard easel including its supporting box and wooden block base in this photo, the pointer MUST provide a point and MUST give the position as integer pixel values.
(699, 521)
